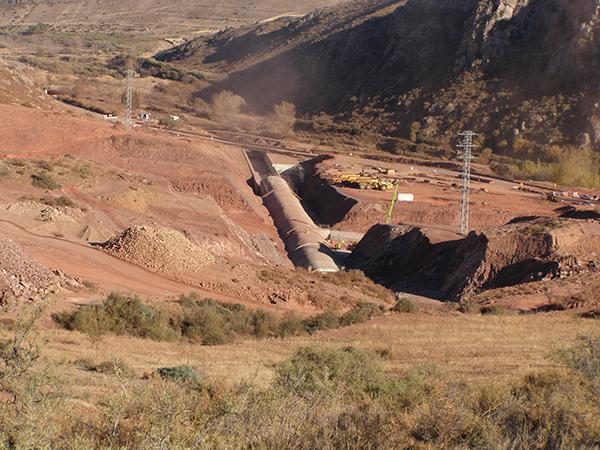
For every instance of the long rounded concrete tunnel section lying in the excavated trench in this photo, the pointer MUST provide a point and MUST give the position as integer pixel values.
(304, 240)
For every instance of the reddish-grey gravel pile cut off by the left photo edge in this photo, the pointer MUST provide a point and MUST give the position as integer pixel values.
(21, 277)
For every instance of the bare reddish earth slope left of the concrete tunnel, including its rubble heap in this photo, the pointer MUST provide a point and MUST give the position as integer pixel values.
(150, 212)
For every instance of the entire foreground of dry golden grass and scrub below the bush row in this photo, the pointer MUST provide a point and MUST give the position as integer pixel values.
(399, 381)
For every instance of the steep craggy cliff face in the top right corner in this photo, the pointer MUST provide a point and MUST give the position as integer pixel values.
(556, 36)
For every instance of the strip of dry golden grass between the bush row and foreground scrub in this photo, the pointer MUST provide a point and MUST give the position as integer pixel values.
(462, 347)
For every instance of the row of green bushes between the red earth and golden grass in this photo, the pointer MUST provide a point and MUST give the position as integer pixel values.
(202, 321)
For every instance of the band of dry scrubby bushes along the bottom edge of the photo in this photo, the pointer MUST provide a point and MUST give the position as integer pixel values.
(321, 398)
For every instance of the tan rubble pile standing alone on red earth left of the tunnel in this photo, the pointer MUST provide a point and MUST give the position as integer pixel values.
(159, 249)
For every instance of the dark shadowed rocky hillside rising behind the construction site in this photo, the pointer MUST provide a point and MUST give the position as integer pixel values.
(521, 72)
